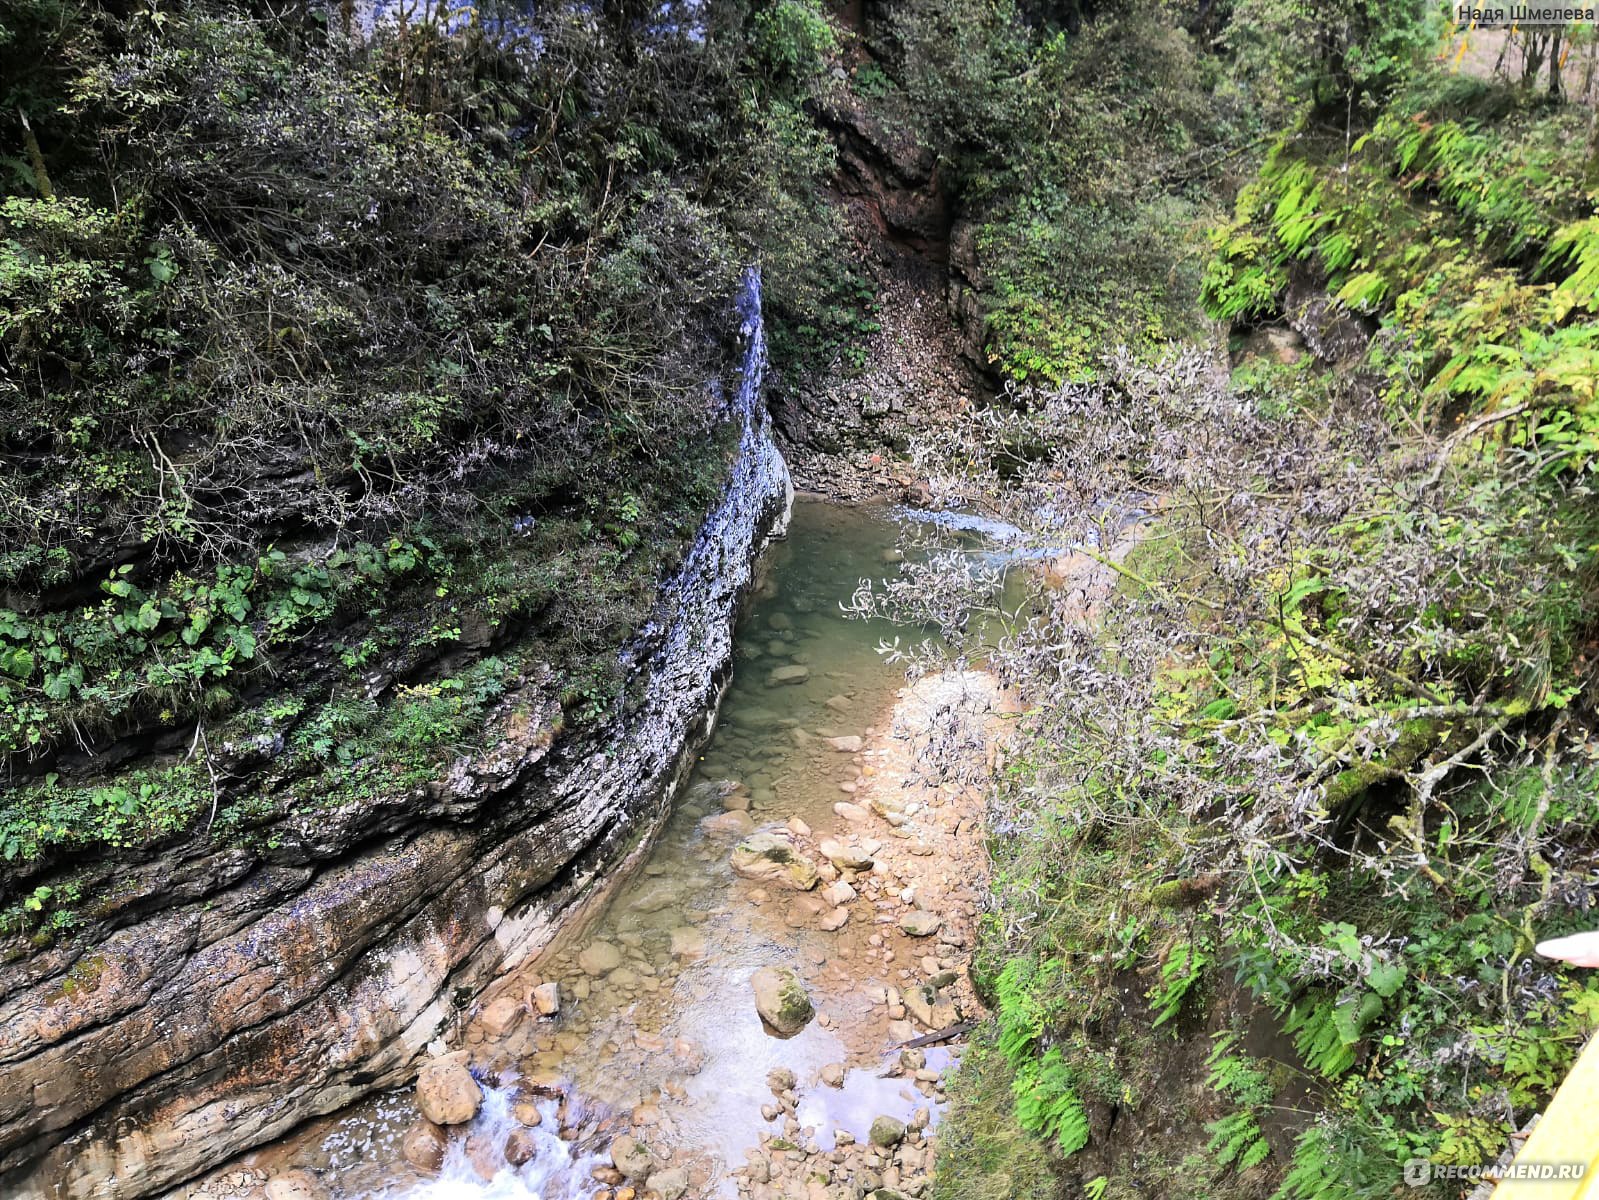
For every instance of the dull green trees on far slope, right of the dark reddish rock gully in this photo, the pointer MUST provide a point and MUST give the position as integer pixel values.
(1059, 145)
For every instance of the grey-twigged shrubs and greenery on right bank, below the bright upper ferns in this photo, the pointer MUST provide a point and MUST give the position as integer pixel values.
(1322, 756)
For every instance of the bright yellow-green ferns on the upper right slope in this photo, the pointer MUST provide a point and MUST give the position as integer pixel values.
(1435, 225)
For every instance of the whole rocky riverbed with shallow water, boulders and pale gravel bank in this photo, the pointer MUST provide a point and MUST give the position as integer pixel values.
(826, 850)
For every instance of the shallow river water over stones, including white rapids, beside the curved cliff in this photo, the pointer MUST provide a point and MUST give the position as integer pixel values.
(658, 1034)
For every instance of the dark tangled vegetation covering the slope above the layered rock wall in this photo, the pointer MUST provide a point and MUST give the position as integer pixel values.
(343, 398)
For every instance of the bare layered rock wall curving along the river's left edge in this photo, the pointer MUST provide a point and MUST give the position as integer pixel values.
(253, 993)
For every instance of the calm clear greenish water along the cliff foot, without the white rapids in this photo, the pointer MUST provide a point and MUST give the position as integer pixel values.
(772, 742)
